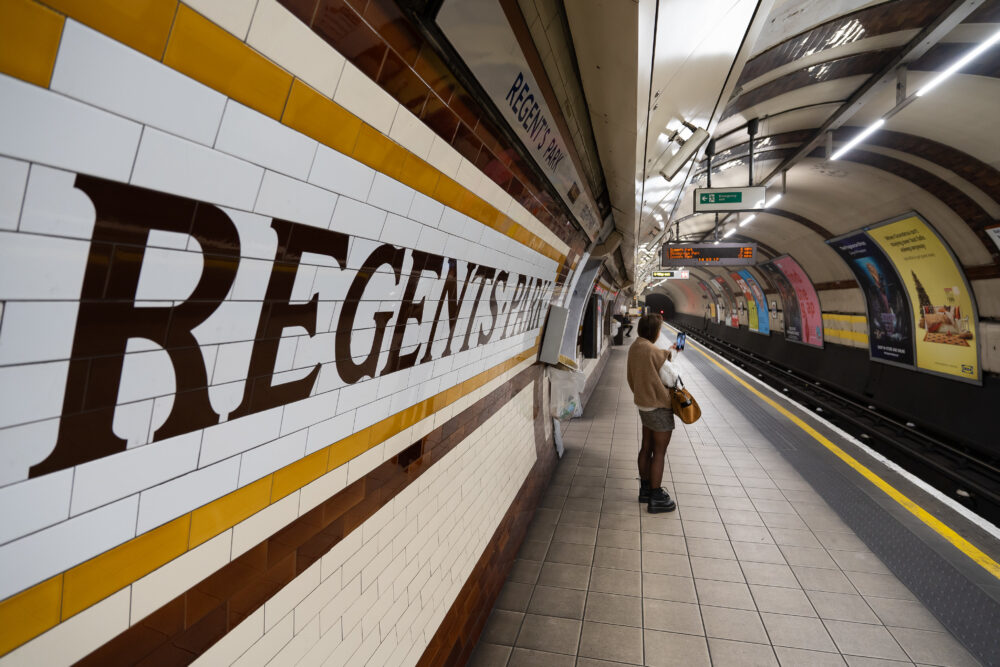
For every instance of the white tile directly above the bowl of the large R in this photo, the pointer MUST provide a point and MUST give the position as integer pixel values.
(174, 165)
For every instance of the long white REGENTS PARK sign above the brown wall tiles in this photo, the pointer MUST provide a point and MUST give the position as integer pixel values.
(482, 35)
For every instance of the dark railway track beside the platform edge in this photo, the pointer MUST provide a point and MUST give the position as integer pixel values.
(956, 470)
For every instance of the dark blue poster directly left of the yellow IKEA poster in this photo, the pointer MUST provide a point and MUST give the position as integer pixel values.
(890, 325)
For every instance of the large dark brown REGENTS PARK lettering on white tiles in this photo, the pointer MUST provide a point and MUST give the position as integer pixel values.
(109, 315)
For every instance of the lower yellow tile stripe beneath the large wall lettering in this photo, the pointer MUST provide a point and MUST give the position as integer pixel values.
(39, 608)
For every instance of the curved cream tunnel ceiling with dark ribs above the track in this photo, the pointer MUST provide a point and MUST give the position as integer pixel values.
(938, 156)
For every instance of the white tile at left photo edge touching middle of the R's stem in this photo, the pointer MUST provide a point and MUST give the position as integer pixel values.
(37, 331)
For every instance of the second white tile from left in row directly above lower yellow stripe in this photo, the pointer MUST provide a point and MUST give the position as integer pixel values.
(167, 501)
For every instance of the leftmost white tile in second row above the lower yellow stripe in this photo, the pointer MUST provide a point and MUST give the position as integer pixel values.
(35, 503)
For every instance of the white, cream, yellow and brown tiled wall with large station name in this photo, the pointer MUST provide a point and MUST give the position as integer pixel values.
(266, 345)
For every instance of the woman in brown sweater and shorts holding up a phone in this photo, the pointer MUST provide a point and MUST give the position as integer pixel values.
(650, 373)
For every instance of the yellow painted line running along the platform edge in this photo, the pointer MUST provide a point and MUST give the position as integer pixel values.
(916, 510)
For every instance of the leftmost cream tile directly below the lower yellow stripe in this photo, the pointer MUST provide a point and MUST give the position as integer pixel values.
(74, 638)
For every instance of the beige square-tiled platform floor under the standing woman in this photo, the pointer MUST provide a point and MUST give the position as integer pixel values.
(752, 569)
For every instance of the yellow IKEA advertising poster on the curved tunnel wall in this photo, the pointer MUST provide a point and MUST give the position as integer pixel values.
(944, 317)
